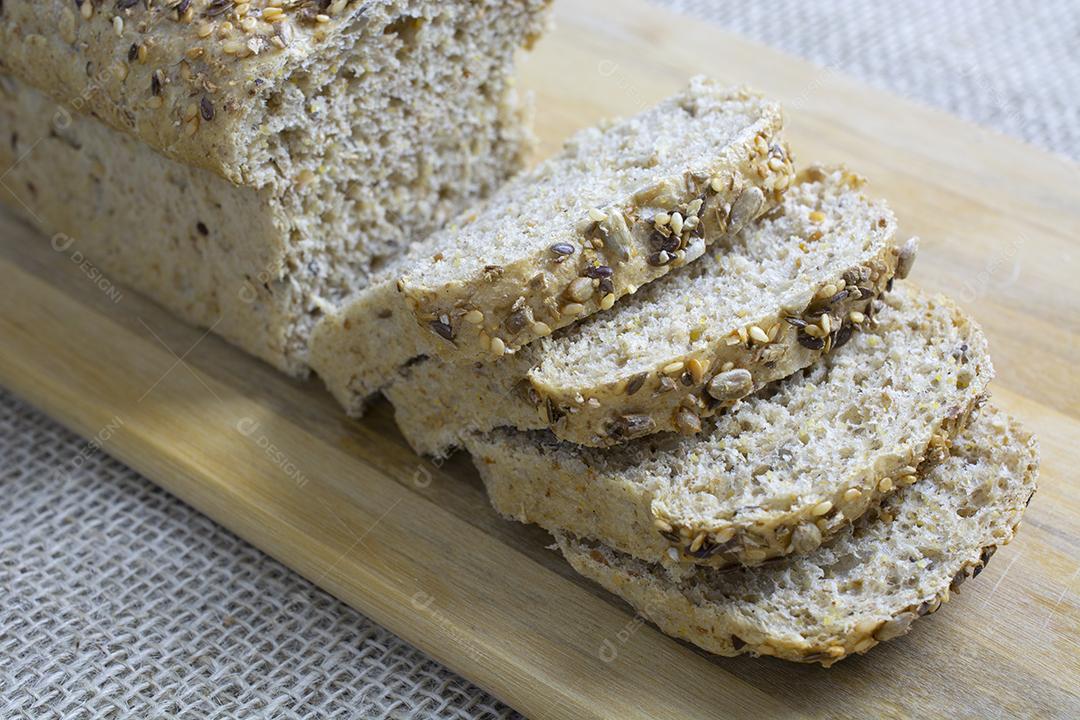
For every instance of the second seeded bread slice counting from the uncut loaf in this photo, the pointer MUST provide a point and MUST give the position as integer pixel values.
(750, 313)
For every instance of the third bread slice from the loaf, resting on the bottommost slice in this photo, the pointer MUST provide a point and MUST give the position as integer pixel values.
(778, 474)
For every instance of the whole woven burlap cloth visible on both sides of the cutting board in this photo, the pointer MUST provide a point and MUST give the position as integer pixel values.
(119, 602)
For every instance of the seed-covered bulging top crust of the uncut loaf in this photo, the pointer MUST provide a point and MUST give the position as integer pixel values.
(82, 55)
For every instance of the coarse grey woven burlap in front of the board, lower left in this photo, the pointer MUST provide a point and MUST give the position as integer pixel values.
(120, 602)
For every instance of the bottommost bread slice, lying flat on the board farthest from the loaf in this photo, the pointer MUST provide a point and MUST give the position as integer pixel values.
(867, 587)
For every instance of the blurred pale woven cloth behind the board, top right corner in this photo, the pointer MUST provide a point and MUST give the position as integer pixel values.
(1011, 65)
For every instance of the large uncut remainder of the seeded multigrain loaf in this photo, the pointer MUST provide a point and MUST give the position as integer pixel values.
(249, 165)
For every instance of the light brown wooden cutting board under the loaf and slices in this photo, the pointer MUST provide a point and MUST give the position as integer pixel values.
(416, 548)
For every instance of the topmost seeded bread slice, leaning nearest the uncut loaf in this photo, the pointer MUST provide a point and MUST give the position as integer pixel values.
(566, 240)
